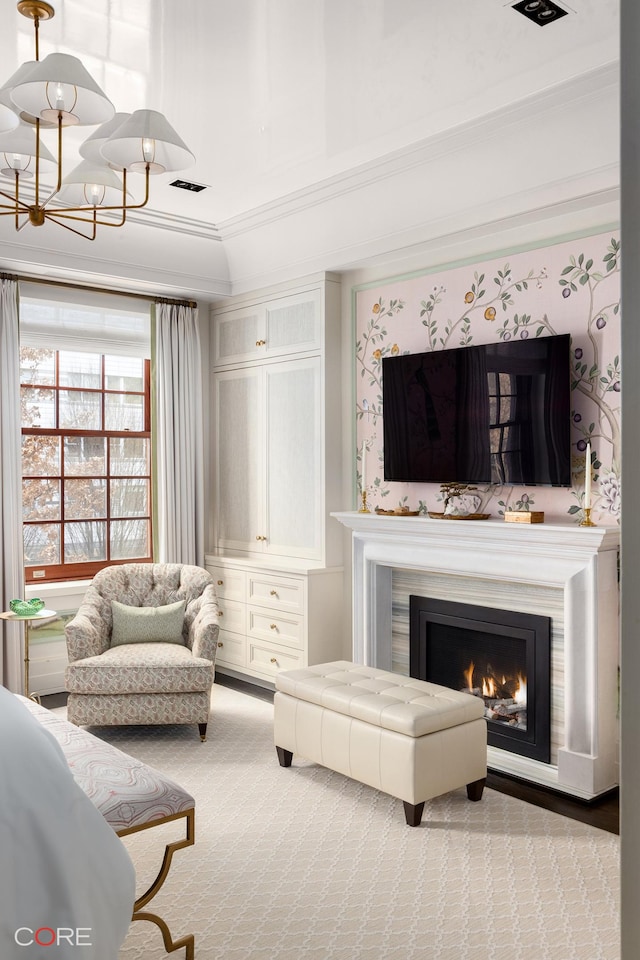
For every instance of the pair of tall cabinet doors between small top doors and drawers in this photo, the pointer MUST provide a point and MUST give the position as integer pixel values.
(268, 459)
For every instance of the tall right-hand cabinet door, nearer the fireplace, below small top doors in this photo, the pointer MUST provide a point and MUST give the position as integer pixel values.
(294, 465)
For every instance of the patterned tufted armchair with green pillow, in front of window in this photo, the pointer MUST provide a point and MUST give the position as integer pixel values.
(142, 647)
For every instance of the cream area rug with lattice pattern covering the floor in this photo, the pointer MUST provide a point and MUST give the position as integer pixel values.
(304, 864)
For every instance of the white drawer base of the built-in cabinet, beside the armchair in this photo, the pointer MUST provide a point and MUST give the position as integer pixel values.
(276, 618)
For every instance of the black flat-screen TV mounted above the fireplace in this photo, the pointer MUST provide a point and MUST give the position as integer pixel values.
(496, 413)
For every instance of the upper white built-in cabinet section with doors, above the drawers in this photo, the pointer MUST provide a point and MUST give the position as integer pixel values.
(276, 418)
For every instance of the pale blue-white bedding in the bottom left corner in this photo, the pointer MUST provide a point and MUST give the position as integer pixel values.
(65, 877)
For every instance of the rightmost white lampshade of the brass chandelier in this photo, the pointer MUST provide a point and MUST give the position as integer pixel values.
(147, 141)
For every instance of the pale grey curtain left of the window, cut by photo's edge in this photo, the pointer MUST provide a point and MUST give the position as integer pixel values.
(11, 563)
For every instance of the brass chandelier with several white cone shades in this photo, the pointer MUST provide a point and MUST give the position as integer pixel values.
(58, 92)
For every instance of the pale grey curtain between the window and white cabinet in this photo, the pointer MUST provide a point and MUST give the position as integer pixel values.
(178, 435)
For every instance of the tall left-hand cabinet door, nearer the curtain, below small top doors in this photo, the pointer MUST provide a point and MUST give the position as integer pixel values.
(239, 466)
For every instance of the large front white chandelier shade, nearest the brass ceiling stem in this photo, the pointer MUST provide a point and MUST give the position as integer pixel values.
(60, 85)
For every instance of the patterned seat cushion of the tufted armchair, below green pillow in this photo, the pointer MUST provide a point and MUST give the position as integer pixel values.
(141, 668)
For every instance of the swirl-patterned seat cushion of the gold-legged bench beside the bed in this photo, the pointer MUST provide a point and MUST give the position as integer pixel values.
(127, 792)
